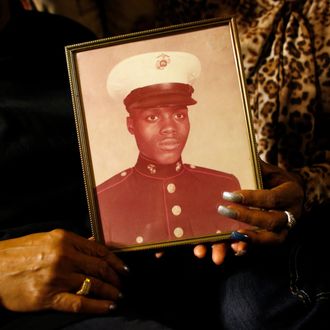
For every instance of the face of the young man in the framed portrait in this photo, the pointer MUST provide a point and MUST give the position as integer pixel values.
(160, 133)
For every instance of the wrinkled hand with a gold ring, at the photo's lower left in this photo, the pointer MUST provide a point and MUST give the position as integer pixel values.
(43, 271)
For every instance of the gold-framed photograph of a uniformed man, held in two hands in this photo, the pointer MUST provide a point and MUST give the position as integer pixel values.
(164, 128)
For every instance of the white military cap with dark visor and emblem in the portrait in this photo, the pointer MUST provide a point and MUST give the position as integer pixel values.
(154, 79)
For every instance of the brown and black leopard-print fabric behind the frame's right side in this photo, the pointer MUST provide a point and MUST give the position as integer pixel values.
(285, 50)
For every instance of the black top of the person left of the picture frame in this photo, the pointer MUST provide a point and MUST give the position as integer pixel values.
(40, 173)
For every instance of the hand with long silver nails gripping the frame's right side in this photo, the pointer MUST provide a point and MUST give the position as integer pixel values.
(262, 208)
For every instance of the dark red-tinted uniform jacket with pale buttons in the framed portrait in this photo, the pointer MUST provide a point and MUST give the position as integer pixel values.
(152, 203)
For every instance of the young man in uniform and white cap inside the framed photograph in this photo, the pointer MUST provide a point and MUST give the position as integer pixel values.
(161, 198)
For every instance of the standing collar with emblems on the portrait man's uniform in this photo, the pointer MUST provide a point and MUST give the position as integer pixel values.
(150, 168)
